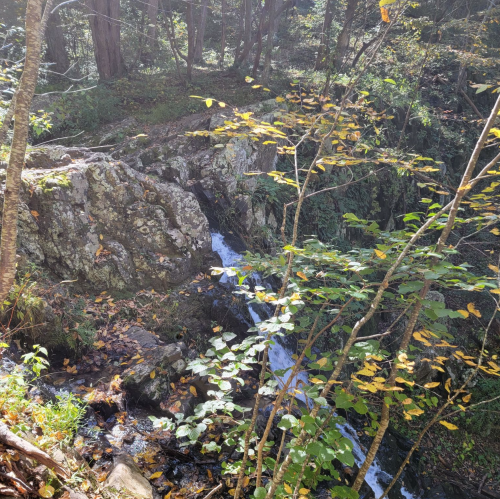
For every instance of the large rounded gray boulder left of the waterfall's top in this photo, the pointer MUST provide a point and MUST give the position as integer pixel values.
(109, 226)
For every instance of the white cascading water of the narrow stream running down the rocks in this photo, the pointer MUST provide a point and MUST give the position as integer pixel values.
(281, 358)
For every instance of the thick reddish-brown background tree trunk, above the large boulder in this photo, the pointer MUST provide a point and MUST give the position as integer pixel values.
(104, 22)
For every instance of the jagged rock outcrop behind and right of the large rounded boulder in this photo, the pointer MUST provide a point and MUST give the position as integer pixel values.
(212, 168)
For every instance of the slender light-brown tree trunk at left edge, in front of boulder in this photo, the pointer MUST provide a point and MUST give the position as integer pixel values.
(24, 96)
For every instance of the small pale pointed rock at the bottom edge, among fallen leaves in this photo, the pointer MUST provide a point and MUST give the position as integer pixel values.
(127, 478)
